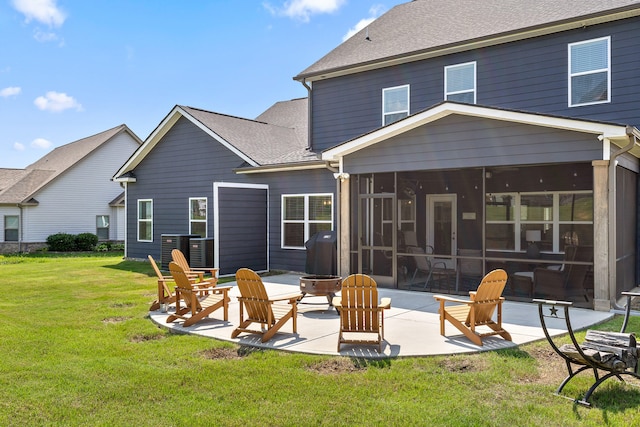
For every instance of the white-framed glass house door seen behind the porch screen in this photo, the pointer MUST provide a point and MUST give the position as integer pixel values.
(442, 226)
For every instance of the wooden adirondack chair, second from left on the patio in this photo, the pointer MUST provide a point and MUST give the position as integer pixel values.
(198, 305)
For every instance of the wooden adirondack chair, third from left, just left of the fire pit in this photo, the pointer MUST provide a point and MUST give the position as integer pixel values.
(271, 313)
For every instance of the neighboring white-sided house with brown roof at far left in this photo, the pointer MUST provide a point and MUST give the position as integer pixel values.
(68, 190)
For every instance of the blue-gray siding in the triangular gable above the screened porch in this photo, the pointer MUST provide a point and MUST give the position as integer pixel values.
(467, 142)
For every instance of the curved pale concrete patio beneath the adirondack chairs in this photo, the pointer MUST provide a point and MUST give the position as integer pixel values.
(412, 326)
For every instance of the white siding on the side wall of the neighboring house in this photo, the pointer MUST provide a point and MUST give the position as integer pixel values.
(70, 203)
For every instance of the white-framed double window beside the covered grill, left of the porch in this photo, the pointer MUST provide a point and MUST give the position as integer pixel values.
(303, 215)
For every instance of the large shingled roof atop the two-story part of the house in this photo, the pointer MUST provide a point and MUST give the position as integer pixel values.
(421, 29)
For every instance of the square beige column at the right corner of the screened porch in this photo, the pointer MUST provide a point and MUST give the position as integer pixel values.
(601, 252)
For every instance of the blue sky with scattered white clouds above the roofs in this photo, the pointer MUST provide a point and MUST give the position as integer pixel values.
(73, 68)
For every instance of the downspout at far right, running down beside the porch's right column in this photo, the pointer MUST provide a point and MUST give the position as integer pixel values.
(631, 133)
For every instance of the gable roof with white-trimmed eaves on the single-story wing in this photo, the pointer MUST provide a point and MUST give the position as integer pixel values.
(278, 136)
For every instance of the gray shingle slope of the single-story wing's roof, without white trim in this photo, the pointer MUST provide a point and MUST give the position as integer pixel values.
(279, 135)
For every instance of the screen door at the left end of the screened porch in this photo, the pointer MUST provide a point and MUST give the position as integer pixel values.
(377, 234)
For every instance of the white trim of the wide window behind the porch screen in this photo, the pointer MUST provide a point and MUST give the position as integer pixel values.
(555, 221)
